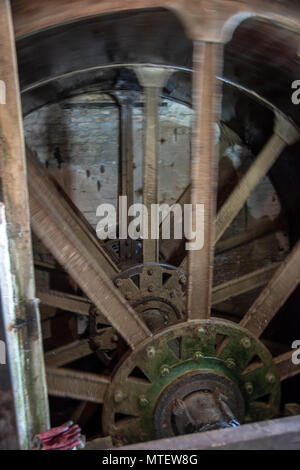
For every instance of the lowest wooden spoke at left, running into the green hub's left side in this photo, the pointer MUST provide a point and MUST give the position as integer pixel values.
(78, 385)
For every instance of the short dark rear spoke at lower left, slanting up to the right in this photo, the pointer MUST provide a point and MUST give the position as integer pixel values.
(67, 354)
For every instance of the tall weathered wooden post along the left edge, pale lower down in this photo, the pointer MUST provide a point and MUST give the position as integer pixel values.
(24, 344)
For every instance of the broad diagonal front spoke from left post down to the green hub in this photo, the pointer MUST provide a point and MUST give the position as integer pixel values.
(59, 237)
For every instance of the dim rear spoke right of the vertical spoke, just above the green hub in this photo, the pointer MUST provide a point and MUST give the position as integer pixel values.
(243, 284)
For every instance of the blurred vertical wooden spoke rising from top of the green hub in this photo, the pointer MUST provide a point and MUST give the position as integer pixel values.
(207, 60)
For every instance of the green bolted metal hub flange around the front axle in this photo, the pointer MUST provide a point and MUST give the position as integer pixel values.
(218, 346)
